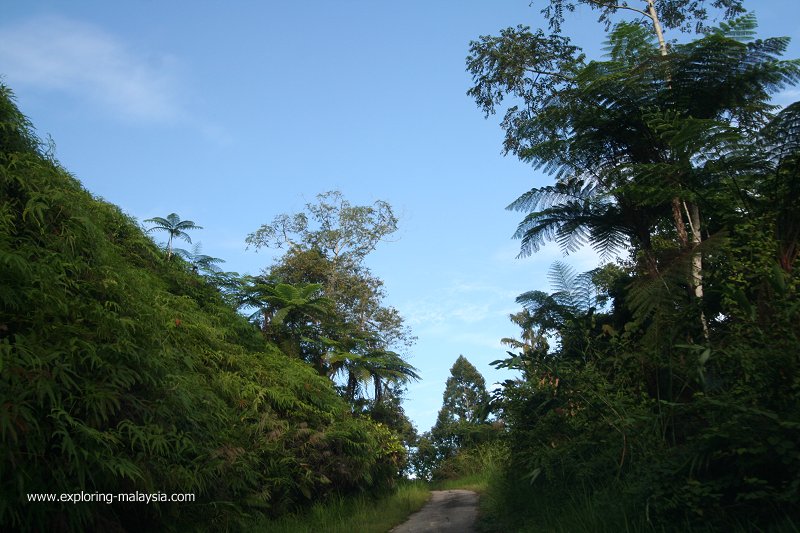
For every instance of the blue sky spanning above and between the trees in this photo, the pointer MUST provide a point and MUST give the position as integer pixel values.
(231, 113)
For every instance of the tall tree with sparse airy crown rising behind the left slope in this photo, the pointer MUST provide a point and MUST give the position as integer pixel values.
(327, 244)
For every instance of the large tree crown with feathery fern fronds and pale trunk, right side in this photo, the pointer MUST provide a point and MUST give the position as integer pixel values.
(632, 140)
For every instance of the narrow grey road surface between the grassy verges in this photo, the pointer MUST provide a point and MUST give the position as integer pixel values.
(449, 511)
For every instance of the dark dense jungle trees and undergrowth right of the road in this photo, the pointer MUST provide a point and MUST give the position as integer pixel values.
(660, 391)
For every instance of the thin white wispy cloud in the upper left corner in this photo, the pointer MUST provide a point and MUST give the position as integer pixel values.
(59, 54)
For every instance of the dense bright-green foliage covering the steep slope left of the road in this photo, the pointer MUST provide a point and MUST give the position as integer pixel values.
(123, 370)
